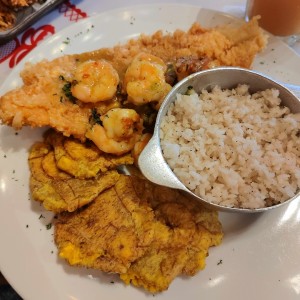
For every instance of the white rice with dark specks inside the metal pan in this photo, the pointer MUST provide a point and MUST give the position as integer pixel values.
(232, 148)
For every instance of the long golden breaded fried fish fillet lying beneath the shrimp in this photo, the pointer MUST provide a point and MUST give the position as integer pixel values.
(43, 101)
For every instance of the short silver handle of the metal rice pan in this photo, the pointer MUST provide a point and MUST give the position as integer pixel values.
(154, 167)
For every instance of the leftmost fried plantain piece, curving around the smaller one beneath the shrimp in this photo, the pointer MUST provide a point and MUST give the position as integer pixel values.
(58, 190)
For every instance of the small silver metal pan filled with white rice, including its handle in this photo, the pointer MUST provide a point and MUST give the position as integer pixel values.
(228, 137)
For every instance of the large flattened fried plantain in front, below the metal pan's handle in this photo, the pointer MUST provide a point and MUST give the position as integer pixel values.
(147, 233)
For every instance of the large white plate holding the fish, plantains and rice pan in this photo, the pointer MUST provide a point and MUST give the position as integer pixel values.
(259, 257)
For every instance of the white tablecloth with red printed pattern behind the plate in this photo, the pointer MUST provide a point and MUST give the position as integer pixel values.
(70, 12)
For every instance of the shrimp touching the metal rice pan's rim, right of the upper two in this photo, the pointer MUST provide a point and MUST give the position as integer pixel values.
(144, 79)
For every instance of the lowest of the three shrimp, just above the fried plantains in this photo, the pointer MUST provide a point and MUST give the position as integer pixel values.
(121, 128)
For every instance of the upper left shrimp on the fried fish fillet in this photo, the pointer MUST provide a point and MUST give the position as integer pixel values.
(95, 81)
